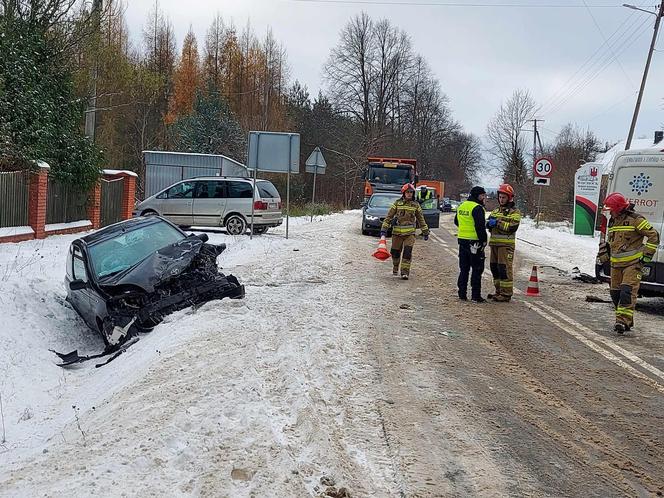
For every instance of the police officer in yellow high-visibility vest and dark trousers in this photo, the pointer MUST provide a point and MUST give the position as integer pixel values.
(470, 218)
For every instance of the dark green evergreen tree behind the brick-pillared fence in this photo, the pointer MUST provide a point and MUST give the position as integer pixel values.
(39, 115)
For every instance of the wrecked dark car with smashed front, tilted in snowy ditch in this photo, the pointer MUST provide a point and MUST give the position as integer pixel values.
(126, 277)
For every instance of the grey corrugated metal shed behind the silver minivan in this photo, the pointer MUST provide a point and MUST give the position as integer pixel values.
(165, 168)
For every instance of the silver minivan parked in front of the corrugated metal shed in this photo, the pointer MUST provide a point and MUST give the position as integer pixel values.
(217, 202)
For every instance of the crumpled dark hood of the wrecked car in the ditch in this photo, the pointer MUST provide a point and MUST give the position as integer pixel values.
(165, 264)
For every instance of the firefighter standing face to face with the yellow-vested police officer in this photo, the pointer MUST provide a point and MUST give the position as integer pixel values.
(502, 224)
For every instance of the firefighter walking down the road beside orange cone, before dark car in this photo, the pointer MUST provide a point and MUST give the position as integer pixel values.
(404, 216)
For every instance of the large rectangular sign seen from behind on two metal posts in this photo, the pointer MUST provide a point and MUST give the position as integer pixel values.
(276, 153)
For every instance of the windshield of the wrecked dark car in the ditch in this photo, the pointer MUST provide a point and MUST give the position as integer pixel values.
(127, 249)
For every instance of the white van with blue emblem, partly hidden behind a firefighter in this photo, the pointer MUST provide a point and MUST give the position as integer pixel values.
(639, 176)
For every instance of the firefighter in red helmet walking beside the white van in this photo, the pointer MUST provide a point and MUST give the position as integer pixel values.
(627, 253)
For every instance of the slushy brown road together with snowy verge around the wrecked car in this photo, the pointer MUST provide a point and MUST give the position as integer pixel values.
(330, 374)
